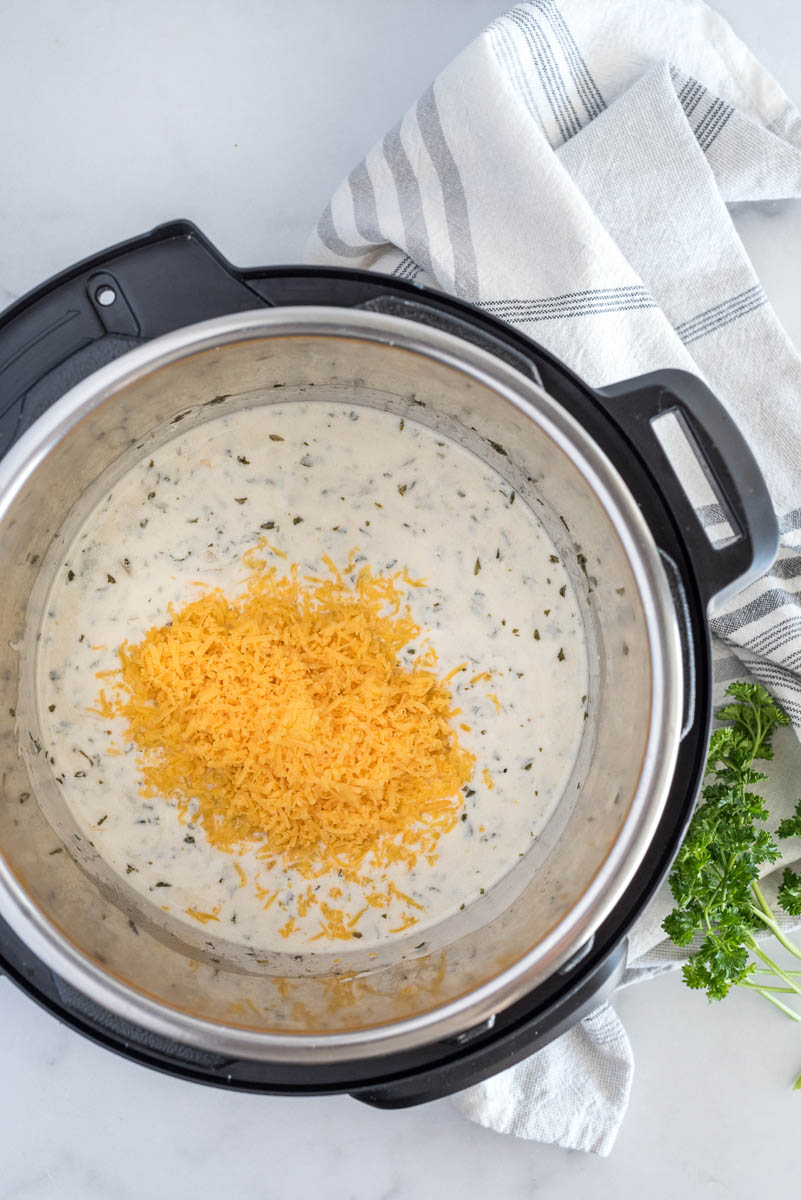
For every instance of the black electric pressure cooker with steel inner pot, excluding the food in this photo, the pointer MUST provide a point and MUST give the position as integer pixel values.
(124, 352)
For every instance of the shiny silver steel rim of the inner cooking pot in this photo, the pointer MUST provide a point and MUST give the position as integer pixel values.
(479, 1006)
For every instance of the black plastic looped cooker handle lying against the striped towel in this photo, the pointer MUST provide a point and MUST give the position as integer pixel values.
(726, 460)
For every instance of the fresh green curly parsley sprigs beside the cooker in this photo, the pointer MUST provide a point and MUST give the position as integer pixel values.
(715, 880)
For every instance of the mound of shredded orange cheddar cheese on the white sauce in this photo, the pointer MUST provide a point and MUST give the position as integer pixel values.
(288, 717)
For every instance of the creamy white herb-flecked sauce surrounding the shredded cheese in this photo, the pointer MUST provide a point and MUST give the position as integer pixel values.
(321, 479)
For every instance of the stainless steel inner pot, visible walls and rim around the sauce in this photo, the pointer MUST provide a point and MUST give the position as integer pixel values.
(97, 934)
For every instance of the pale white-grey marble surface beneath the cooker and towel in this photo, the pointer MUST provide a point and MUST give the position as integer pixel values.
(244, 116)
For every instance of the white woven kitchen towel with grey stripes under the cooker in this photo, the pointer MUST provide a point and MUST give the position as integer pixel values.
(570, 173)
